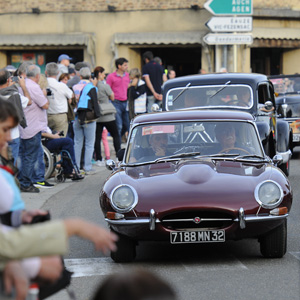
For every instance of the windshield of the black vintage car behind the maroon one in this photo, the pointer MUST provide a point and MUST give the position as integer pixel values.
(227, 95)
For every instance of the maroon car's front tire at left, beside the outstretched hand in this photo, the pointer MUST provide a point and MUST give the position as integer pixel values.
(126, 250)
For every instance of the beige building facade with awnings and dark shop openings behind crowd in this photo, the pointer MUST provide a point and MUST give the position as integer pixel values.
(99, 31)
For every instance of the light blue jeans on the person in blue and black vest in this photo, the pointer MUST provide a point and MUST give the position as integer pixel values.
(85, 132)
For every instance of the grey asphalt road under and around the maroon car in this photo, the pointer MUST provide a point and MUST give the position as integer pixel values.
(233, 270)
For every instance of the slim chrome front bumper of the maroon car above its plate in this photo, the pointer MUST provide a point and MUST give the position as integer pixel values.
(152, 220)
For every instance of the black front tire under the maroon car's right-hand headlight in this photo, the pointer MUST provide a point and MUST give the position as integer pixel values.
(273, 245)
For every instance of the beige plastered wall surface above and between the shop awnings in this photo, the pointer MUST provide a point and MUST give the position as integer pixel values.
(77, 16)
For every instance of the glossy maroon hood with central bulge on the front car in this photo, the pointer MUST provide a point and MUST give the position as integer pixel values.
(189, 184)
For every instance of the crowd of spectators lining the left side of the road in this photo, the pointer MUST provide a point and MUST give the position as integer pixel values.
(70, 107)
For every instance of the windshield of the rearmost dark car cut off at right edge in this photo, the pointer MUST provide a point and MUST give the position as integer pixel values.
(286, 84)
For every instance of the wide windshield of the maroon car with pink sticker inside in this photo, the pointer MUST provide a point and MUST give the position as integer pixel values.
(183, 139)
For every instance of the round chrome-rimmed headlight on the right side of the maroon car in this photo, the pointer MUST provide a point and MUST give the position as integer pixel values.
(268, 194)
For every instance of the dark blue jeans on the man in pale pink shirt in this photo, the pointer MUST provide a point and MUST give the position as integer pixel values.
(32, 161)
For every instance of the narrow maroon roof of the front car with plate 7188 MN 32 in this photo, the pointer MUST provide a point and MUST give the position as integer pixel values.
(185, 115)
